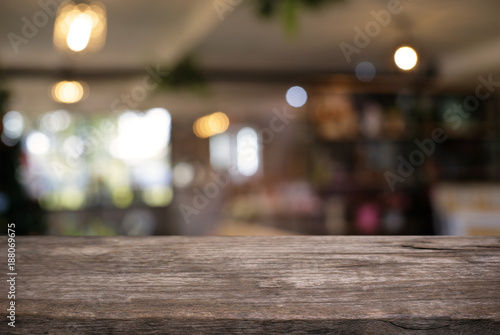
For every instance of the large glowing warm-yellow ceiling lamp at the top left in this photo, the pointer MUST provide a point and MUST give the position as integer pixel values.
(80, 27)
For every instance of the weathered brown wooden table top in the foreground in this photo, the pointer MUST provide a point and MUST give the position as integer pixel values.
(255, 285)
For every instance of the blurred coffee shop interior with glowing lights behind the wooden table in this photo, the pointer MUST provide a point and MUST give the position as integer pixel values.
(254, 117)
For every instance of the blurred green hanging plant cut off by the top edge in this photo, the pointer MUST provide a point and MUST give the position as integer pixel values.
(289, 10)
